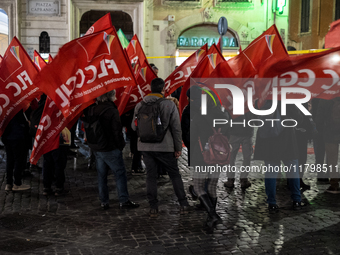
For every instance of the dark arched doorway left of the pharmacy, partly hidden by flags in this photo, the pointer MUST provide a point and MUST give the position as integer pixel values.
(120, 20)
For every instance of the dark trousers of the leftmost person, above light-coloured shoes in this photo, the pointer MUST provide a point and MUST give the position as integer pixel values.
(16, 152)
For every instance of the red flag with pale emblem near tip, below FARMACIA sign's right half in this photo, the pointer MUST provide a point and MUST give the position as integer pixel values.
(202, 71)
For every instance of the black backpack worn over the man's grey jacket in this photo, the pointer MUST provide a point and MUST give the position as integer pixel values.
(150, 127)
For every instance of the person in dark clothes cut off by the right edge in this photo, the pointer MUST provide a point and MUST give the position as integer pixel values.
(328, 122)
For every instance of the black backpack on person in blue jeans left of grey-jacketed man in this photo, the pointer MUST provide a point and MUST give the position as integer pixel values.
(95, 133)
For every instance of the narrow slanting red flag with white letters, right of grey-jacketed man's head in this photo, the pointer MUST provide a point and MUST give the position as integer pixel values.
(178, 77)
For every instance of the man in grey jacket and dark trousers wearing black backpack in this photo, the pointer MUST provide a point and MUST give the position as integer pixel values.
(157, 123)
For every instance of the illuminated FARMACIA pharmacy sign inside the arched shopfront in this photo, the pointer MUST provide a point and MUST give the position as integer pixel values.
(200, 41)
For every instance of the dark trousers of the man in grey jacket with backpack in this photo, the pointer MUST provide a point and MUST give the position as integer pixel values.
(168, 162)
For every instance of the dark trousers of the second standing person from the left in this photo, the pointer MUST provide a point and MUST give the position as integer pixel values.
(53, 167)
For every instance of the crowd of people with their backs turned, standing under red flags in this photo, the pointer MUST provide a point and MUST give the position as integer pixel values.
(156, 134)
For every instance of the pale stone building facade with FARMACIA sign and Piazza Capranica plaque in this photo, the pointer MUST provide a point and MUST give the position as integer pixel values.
(164, 27)
